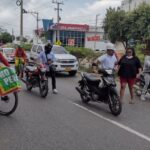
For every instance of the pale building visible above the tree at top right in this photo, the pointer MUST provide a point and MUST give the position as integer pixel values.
(129, 5)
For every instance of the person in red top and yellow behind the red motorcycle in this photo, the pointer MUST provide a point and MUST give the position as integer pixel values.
(20, 55)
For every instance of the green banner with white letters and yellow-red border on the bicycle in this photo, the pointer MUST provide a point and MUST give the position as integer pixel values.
(8, 81)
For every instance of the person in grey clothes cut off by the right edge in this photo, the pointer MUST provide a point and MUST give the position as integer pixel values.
(146, 72)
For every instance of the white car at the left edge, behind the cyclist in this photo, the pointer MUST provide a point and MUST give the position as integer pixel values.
(8, 53)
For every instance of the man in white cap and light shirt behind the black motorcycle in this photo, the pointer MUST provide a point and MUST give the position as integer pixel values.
(108, 60)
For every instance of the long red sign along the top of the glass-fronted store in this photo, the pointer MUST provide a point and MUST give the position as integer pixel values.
(72, 27)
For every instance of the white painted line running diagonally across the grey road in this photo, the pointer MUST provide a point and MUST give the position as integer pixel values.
(130, 130)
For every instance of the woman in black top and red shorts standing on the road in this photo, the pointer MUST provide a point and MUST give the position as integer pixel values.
(129, 67)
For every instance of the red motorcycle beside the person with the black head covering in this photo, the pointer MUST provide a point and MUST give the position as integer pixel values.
(35, 76)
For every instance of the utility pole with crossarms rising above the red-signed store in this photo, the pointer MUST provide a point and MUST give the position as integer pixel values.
(58, 2)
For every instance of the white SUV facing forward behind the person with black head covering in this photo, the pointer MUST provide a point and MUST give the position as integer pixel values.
(65, 62)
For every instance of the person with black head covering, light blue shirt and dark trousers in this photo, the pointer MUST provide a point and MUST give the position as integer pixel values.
(47, 57)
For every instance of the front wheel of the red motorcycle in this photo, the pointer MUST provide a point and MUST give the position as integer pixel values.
(44, 88)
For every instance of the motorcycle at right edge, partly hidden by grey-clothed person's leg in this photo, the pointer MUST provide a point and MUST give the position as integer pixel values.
(139, 85)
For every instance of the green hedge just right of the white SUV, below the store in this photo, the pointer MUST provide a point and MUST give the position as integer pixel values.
(81, 52)
